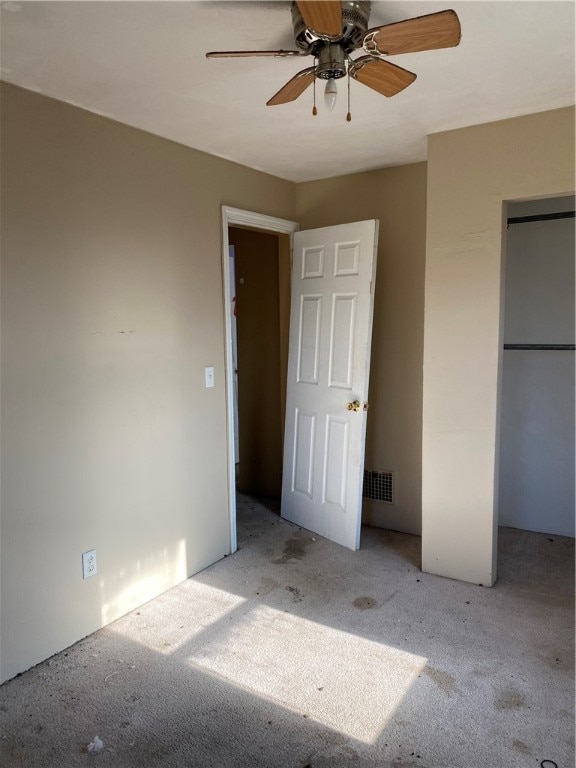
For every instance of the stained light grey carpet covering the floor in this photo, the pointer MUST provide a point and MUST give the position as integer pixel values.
(296, 652)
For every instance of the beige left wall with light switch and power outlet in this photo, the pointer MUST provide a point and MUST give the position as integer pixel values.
(111, 308)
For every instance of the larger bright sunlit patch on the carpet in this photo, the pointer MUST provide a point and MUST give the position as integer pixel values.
(341, 680)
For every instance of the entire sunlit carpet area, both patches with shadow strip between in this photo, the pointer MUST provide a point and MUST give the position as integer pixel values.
(341, 680)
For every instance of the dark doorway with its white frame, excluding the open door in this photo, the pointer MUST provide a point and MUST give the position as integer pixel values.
(257, 308)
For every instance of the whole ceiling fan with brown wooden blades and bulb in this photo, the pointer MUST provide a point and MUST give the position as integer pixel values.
(330, 31)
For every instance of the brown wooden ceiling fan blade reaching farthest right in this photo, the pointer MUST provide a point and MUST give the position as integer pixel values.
(423, 33)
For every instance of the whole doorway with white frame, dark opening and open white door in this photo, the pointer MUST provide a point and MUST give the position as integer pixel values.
(307, 327)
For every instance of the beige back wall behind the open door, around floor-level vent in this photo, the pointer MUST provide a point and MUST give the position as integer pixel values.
(397, 197)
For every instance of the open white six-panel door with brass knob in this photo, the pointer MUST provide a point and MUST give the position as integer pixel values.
(333, 273)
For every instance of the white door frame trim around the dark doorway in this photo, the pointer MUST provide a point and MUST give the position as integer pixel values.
(237, 217)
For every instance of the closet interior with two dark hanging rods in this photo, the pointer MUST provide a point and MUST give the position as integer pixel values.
(536, 477)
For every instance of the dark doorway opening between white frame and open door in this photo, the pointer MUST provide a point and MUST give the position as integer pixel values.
(260, 303)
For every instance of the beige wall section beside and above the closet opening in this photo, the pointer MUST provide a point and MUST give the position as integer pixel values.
(470, 173)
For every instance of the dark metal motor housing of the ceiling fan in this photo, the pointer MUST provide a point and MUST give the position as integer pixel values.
(355, 15)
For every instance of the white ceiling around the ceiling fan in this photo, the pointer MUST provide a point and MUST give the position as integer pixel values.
(143, 63)
